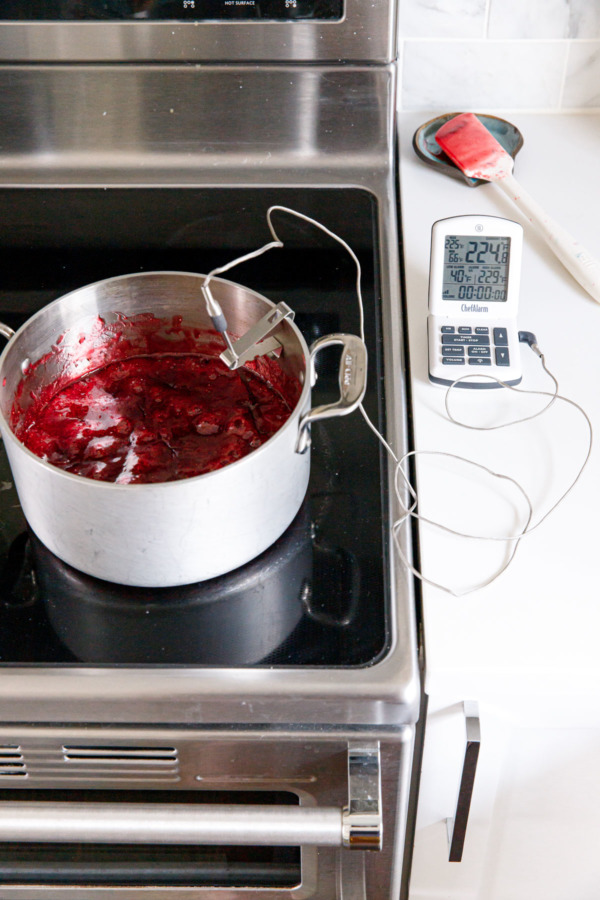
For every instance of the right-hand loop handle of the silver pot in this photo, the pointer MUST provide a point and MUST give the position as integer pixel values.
(352, 382)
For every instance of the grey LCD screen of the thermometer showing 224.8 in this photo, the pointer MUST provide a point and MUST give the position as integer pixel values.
(476, 268)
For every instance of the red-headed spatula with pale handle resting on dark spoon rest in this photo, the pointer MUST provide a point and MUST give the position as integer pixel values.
(478, 154)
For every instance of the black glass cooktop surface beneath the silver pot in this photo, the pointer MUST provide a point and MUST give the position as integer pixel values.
(318, 597)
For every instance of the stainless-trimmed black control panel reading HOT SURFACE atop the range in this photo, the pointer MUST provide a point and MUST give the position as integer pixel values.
(192, 30)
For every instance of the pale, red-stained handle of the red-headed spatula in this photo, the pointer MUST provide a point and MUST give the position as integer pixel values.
(576, 259)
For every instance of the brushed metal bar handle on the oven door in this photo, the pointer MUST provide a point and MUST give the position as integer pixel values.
(357, 825)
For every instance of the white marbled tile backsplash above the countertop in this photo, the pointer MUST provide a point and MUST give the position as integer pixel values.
(499, 54)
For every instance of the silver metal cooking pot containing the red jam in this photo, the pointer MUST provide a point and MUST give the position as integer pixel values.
(177, 532)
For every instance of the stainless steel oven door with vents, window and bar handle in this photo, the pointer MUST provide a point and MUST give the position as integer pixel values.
(219, 815)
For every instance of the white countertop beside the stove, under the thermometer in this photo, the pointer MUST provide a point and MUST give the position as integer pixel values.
(536, 629)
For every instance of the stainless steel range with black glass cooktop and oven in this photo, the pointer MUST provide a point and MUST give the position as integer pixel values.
(251, 735)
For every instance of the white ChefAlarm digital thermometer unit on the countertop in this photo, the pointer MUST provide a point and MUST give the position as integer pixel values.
(474, 280)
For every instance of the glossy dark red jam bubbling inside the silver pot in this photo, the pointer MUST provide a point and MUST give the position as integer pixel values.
(157, 416)
